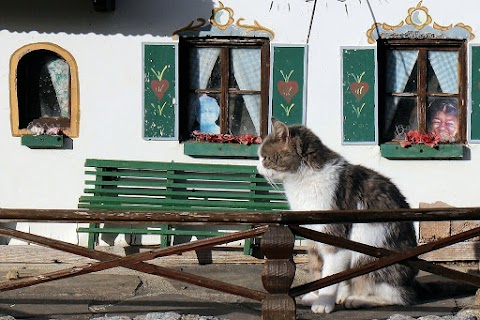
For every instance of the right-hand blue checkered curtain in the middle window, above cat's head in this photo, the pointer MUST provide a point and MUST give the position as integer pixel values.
(246, 69)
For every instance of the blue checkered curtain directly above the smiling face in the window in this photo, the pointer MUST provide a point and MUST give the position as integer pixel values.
(445, 66)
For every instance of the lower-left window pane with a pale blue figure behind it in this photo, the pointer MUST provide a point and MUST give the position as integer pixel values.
(204, 113)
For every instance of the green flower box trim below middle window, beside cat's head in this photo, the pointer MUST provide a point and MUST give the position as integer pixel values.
(220, 150)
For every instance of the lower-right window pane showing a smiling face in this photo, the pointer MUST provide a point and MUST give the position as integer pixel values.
(442, 118)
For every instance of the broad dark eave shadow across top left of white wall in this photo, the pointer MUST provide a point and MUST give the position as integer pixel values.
(158, 18)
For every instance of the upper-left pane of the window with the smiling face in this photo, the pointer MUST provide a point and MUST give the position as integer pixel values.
(400, 71)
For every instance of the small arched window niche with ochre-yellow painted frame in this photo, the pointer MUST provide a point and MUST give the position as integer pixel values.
(44, 91)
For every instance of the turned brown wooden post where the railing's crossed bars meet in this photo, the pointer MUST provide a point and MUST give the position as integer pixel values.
(278, 273)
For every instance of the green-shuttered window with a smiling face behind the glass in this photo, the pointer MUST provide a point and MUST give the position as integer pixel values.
(419, 111)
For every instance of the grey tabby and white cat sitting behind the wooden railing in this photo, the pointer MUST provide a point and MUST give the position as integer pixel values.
(316, 178)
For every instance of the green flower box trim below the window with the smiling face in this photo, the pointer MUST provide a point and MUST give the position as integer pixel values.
(442, 151)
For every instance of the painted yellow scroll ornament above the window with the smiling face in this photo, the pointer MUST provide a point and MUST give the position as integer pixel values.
(418, 25)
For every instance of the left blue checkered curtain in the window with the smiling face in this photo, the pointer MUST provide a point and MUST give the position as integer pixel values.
(400, 64)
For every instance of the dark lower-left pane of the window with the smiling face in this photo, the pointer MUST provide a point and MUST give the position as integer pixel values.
(400, 117)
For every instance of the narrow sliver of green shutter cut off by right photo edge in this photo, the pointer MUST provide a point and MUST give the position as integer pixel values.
(475, 94)
